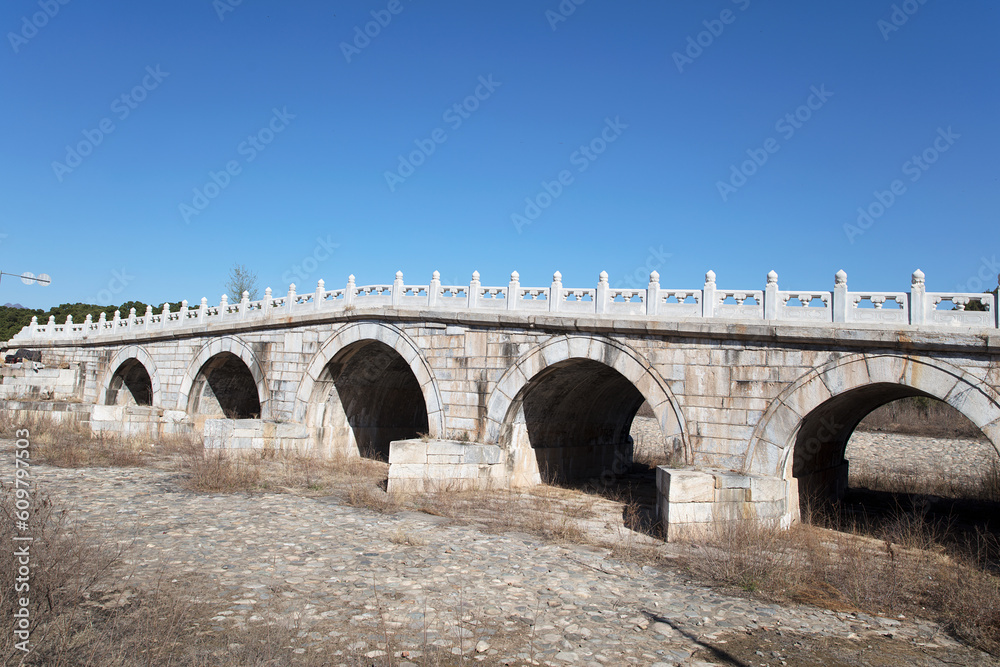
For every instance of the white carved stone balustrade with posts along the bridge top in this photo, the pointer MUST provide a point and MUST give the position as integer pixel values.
(893, 309)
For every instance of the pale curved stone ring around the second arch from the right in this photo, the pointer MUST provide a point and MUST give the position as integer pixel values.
(505, 408)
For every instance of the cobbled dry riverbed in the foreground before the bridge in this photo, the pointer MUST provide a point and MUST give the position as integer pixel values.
(357, 584)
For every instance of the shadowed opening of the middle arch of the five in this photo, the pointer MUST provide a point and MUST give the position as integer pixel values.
(366, 397)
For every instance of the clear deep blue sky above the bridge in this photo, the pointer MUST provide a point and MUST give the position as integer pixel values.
(651, 198)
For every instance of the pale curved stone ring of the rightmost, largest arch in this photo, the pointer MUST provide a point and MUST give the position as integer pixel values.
(821, 409)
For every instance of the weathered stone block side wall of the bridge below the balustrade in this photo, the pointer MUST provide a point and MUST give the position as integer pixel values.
(759, 398)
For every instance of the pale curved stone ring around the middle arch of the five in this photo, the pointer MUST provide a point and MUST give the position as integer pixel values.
(387, 334)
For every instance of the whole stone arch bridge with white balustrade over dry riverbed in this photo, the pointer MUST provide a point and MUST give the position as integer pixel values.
(757, 391)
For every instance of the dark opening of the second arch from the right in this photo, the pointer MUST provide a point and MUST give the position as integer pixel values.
(573, 425)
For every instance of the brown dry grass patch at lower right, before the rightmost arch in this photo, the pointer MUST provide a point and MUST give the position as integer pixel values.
(909, 568)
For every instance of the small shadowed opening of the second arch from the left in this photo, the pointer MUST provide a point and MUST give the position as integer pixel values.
(225, 387)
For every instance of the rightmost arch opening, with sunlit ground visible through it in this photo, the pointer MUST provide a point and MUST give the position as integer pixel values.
(883, 456)
